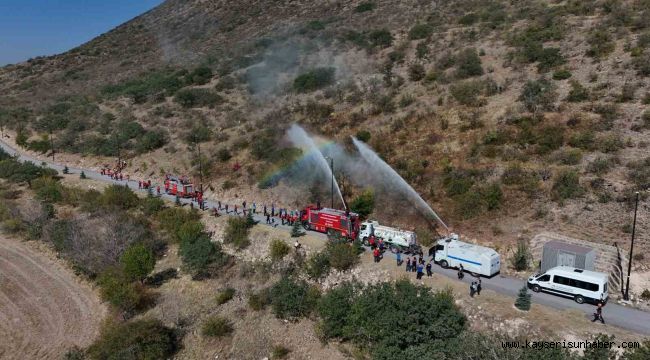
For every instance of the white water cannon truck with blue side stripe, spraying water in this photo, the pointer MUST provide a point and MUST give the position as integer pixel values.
(478, 260)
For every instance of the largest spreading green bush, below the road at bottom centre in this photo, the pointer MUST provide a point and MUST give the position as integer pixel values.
(352, 314)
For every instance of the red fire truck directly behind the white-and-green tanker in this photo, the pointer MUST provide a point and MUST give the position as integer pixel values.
(330, 221)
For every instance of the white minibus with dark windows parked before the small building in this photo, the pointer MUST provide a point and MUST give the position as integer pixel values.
(581, 285)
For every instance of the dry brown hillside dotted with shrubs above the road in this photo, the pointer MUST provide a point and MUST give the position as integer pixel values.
(508, 117)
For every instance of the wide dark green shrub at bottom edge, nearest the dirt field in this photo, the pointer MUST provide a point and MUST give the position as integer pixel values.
(134, 340)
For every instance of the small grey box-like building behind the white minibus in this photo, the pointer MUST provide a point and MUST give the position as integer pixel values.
(558, 253)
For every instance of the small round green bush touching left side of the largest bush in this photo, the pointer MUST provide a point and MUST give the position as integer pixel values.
(291, 299)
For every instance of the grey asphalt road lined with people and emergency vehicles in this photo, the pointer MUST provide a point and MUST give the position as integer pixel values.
(614, 314)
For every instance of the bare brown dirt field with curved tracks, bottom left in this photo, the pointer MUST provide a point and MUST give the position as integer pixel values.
(44, 307)
